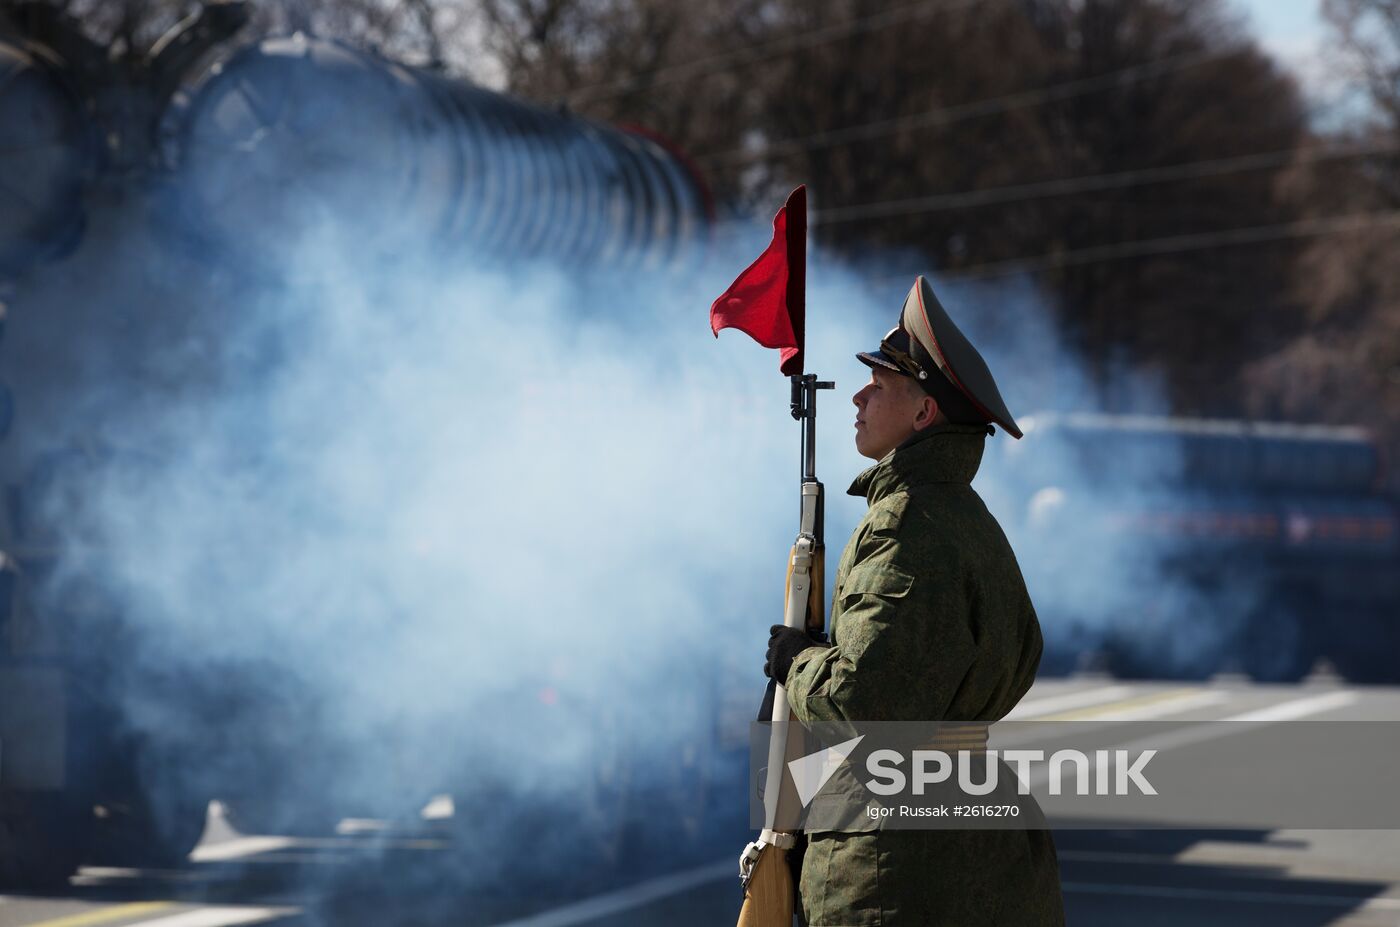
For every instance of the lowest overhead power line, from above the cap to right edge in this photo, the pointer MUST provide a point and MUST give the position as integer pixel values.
(1177, 244)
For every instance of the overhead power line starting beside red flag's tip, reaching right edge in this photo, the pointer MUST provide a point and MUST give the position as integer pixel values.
(1094, 183)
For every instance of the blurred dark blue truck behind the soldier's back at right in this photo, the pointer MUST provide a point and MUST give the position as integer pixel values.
(1160, 547)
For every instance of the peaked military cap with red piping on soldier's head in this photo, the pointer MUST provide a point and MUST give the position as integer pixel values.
(930, 348)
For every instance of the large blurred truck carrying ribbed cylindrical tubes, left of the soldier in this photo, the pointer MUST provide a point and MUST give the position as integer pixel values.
(136, 200)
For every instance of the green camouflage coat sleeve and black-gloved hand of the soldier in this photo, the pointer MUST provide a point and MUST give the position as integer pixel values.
(904, 643)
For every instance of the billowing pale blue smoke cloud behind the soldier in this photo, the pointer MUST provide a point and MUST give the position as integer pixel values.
(360, 533)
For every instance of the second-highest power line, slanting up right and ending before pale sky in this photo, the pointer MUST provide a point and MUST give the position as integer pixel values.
(958, 113)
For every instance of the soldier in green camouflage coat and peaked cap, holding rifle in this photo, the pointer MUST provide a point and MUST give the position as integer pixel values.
(930, 622)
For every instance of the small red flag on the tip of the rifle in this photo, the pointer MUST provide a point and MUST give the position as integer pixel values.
(766, 302)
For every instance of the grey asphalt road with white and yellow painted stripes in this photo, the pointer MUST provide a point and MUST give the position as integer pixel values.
(1233, 869)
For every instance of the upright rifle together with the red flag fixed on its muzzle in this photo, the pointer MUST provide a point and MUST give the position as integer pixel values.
(768, 302)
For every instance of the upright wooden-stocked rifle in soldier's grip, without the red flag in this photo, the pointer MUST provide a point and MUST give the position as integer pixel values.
(764, 870)
